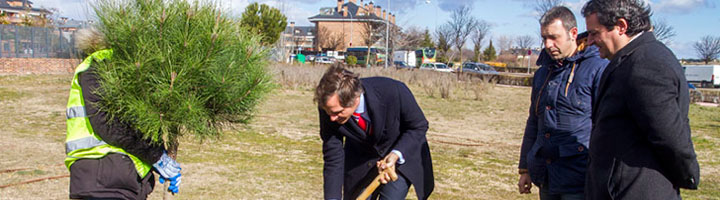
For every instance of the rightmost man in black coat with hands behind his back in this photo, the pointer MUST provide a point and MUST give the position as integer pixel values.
(640, 147)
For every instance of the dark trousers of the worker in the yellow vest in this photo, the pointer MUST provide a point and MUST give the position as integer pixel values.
(111, 177)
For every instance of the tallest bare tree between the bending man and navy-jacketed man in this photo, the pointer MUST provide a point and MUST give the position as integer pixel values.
(462, 24)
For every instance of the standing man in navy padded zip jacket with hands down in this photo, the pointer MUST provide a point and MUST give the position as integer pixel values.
(554, 148)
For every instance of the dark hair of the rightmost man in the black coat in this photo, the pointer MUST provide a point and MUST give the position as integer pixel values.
(608, 12)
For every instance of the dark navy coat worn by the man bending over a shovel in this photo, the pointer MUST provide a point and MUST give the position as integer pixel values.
(397, 123)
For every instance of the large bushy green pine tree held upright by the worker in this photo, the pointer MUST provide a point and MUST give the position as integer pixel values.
(178, 68)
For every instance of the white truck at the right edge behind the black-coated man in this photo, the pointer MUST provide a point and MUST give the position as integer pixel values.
(705, 76)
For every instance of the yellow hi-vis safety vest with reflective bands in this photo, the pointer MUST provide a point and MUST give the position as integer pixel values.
(81, 142)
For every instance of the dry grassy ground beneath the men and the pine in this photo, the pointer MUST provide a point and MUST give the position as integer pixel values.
(474, 143)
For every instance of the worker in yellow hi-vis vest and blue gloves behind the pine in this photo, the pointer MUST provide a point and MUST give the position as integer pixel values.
(108, 159)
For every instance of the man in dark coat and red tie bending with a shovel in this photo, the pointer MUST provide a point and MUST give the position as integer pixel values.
(368, 125)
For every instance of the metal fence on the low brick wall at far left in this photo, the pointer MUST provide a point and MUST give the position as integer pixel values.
(36, 42)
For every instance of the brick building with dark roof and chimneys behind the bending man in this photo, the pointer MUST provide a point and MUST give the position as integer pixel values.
(344, 25)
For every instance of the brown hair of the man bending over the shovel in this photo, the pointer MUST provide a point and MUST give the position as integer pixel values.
(338, 80)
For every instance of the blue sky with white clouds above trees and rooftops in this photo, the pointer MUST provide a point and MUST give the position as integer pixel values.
(691, 19)
